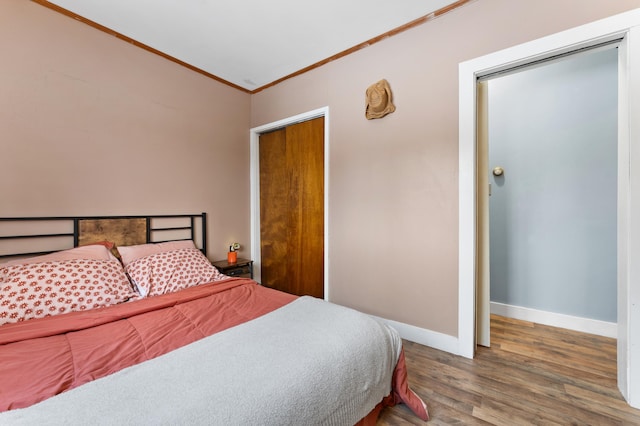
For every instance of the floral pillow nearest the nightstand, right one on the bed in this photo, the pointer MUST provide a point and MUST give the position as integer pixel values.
(170, 271)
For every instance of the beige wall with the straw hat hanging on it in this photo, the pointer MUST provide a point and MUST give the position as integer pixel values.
(393, 194)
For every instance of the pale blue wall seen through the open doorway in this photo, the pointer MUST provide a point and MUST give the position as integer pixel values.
(553, 129)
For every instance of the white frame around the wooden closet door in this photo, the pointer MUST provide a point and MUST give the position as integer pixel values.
(254, 138)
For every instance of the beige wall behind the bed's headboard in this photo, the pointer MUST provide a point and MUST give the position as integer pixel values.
(91, 125)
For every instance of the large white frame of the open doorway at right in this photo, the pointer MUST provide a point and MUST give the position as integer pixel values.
(626, 28)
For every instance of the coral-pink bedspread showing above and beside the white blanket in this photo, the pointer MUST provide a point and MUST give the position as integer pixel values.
(44, 357)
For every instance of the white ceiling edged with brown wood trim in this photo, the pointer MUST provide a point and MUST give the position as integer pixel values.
(252, 43)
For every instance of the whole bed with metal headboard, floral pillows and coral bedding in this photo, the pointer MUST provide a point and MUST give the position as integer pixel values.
(130, 324)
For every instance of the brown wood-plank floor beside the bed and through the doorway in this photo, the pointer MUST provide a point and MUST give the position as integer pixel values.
(532, 375)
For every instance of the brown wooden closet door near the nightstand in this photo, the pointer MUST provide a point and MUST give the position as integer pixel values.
(292, 208)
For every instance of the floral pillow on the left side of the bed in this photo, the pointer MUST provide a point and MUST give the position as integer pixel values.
(38, 290)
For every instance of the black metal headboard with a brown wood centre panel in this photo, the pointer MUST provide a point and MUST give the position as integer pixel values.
(31, 236)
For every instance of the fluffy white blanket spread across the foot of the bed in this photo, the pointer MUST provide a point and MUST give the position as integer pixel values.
(308, 363)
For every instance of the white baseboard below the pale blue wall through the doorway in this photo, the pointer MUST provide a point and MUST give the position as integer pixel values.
(585, 325)
